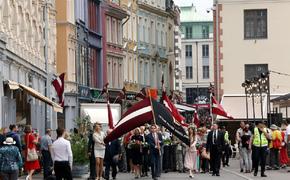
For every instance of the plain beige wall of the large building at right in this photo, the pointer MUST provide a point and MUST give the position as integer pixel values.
(236, 50)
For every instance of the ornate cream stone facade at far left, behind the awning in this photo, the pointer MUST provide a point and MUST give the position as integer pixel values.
(27, 57)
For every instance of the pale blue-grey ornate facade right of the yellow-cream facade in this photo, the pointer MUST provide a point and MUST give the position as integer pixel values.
(152, 43)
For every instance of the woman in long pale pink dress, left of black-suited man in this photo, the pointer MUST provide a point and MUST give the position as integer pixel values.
(190, 161)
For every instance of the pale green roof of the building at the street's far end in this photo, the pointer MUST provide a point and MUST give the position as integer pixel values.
(191, 14)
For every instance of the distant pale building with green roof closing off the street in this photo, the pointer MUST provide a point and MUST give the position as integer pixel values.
(197, 63)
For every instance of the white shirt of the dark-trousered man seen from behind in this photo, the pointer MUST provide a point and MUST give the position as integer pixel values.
(61, 150)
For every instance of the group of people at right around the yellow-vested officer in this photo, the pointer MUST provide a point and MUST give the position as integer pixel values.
(262, 146)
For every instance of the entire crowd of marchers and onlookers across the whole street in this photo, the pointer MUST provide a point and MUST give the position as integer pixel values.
(144, 149)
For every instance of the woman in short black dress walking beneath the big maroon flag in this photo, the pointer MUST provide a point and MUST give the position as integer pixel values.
(136, 146)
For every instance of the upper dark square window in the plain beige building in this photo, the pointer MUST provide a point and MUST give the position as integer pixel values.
(255, 24)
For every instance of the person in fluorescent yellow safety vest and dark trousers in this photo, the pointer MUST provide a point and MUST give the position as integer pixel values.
(259, 147)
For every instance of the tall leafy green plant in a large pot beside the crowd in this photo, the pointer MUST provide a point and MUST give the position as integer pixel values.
(79, 145)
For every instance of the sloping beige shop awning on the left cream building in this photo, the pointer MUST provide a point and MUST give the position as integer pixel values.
(14, 85)
